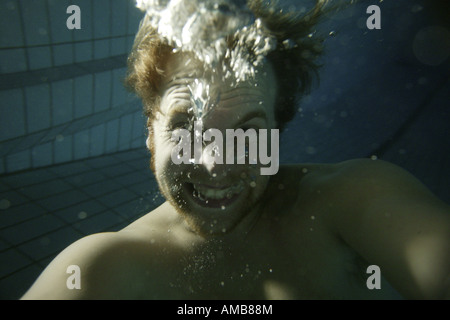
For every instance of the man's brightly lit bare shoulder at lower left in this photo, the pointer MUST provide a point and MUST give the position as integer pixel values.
(93, 261)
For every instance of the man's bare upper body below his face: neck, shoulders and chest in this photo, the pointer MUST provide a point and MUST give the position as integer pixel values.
(342, 219)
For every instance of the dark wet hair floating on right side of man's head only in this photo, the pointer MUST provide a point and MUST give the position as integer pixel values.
(295, 59)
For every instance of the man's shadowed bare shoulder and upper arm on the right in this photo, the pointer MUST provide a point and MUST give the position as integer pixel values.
(392, 220)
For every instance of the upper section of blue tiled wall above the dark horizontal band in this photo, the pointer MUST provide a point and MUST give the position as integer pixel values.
(36, 27)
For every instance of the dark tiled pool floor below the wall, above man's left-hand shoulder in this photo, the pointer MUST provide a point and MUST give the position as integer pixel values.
(44, 210)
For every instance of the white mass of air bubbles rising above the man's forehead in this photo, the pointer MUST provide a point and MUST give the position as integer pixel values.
(202, 28)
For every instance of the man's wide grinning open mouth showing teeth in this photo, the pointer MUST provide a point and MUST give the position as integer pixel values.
(214, 196)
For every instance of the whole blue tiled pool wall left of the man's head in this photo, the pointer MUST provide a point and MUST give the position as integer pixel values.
(55, 83)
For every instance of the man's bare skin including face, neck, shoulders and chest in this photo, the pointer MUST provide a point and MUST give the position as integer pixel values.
(308, 232)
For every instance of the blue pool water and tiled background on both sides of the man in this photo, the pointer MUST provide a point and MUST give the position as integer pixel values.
(72, 140)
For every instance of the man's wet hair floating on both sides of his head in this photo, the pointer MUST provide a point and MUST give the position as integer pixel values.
(293, 60)
